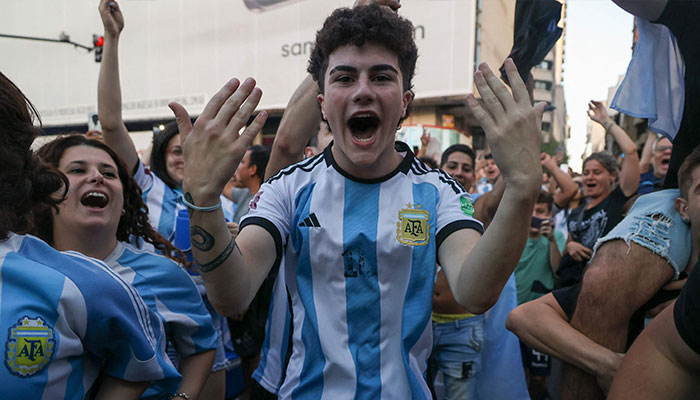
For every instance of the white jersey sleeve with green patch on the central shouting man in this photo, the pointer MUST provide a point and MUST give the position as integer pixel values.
(455, 210)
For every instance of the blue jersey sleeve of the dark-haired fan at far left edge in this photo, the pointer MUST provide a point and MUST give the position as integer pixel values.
(124, 333)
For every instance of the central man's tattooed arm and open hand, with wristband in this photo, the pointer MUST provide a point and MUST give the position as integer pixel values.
(232, 269)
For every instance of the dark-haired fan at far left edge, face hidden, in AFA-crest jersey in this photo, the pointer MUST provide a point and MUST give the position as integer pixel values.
(66, 318)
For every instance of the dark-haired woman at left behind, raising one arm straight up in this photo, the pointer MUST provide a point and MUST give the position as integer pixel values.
(161, 185)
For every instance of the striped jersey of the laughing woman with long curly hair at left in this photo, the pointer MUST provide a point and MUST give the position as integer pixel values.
(172, 295)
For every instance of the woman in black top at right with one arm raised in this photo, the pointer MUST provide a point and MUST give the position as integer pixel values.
(603, 206)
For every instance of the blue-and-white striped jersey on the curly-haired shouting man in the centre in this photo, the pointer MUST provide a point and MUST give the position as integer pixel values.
(359, 266)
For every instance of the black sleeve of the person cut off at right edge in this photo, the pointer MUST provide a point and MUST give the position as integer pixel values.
(687, 309)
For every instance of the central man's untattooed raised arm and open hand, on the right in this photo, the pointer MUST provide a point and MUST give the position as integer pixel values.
(510, 121)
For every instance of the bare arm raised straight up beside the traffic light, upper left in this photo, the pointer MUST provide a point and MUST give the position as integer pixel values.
(109, 95)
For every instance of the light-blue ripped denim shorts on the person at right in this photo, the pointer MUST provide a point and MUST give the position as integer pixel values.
(654, 223)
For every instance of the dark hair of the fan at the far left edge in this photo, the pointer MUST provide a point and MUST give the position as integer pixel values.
(25, 180)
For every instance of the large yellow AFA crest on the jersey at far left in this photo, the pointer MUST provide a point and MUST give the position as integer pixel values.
(30, 346)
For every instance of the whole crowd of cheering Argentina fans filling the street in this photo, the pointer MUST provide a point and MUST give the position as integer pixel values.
(337, 262)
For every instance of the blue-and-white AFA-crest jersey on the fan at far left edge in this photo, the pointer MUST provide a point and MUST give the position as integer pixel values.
(64, 318)
